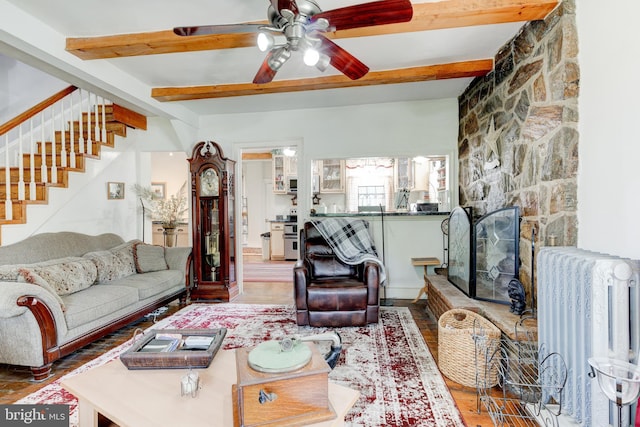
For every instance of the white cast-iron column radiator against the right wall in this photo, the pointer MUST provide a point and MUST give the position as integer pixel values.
(585, 310)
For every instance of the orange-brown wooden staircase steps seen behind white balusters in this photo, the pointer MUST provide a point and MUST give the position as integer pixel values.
(116, 119)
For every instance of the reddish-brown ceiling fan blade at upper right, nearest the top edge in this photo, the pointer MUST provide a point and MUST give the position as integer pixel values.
(379, 12)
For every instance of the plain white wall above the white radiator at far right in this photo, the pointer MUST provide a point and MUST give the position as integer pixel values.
(608, 178)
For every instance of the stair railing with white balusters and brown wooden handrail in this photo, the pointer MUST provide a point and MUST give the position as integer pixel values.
(56, 114)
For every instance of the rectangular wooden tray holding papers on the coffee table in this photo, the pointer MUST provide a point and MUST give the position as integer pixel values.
(195, 349)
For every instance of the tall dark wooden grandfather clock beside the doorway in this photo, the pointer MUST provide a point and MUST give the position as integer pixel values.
(212, 203)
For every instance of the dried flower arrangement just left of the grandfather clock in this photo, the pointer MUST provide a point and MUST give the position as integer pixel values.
(168, 211)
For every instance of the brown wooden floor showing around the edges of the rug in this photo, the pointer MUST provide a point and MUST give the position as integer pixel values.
(15, 381)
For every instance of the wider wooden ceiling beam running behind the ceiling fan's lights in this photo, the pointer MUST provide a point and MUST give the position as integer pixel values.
(426, 16)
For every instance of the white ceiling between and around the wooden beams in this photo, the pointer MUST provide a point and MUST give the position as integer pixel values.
(132, 78)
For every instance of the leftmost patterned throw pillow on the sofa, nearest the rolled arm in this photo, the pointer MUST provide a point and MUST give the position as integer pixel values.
(66, 275)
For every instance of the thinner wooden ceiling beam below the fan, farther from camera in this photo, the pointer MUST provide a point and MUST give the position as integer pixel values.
(405, 75)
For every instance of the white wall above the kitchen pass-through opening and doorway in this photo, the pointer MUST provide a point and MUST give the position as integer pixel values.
(393, 129)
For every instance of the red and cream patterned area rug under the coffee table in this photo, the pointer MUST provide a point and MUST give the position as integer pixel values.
(389, 363)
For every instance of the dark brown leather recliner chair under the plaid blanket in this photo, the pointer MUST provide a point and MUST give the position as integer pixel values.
(329, 292)
